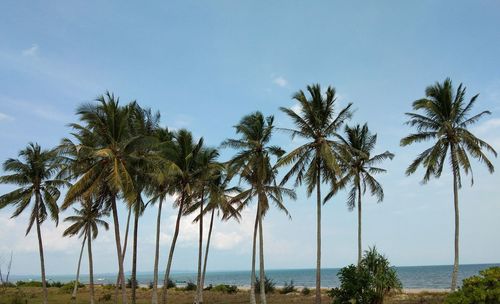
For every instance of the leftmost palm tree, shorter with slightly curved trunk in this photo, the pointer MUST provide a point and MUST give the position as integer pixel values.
(34, 173)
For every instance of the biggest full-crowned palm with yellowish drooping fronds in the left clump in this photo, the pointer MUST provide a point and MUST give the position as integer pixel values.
(105, 142)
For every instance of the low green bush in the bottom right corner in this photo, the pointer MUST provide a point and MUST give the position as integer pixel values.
(484, 289)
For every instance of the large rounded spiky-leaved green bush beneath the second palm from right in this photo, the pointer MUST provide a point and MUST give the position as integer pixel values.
(368, 283)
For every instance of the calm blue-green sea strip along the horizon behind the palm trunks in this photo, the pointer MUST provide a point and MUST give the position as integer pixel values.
(412, 276)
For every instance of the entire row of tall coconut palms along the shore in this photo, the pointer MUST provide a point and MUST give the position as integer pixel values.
(120, 153)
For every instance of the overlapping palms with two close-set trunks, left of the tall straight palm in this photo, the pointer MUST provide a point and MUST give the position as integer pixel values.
(253, 164)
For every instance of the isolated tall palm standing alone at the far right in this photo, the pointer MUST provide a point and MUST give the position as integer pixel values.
(445, 119)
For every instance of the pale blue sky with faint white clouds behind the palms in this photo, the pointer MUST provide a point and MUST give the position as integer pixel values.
(206, 64)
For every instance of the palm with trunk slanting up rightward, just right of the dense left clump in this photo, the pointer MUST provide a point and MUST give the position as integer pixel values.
(183, 152)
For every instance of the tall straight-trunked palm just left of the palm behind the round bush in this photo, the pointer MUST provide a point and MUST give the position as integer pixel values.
(317, 122)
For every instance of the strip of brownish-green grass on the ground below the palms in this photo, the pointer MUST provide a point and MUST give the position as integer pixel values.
(33, 295)
